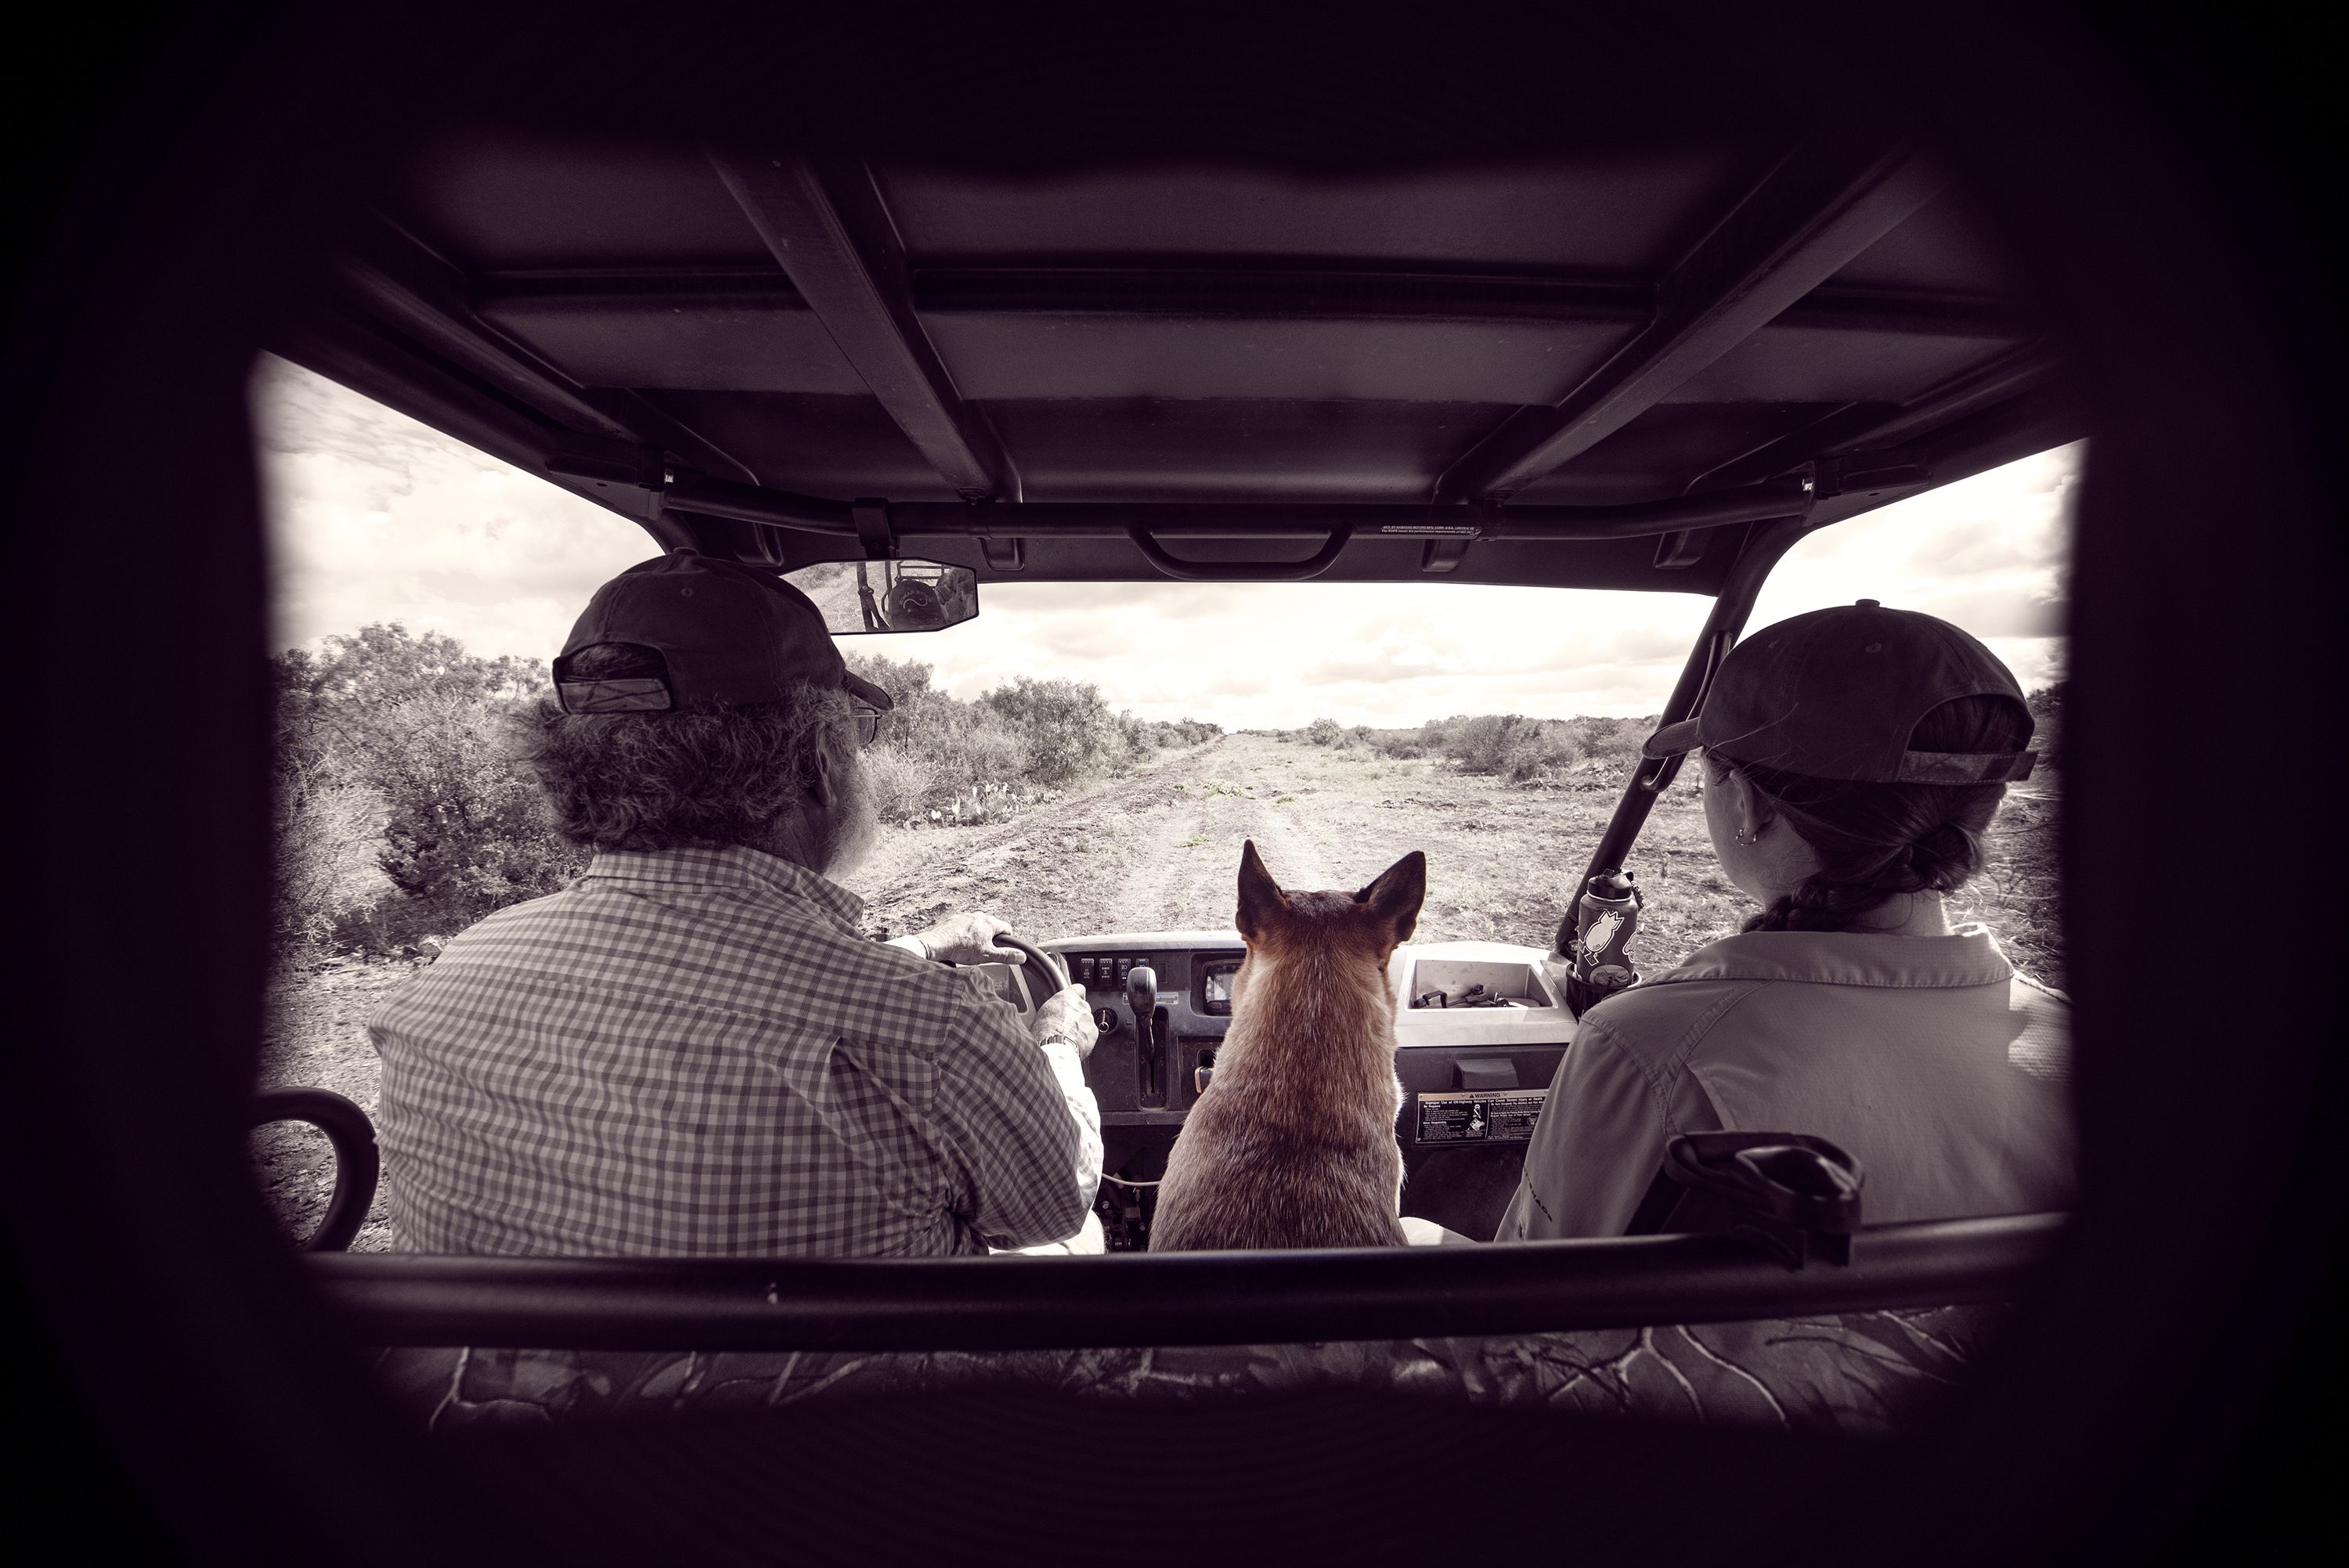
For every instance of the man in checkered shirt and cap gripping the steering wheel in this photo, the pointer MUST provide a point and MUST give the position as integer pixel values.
(694, 1050)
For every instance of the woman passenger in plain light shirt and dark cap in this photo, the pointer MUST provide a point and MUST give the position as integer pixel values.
(1852, 762)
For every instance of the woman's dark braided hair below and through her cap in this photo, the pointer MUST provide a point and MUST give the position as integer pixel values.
(1883, 842)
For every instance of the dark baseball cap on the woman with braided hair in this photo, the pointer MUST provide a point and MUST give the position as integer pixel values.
(1836, 696)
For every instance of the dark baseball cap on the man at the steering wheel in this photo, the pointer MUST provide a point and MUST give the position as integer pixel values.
(727, 633)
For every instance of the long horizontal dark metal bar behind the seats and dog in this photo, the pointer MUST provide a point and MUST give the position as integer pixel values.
(1164, 1299)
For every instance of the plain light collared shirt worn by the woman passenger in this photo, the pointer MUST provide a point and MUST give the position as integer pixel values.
(1927, 1057)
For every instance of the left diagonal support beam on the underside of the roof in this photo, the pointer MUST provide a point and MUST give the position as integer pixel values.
(830, 231)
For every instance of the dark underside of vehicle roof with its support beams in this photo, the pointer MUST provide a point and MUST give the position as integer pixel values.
(1488, 372)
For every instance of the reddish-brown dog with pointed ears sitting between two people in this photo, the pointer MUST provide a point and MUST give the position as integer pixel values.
(1295, 1140)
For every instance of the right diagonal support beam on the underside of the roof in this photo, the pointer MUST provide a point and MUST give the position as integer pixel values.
(1801, 227)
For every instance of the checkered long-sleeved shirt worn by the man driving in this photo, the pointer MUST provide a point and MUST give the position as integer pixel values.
(694, 1053)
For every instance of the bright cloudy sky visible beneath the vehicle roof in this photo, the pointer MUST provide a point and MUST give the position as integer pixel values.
(382, 520)
